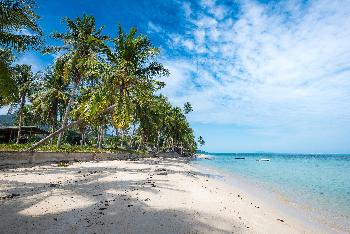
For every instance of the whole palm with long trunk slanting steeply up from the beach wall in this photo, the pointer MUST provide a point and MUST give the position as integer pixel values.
(129, 79)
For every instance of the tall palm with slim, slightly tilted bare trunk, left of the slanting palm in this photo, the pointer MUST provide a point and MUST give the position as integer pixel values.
(82, 44)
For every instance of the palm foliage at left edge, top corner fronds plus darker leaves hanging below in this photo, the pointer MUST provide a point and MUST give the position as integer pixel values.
(18, 31)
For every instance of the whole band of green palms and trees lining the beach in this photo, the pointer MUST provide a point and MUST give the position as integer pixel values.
(97, 85)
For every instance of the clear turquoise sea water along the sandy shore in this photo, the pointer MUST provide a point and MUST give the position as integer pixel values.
(319, 182)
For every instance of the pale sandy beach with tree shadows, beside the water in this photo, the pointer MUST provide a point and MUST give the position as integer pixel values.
(144, 196)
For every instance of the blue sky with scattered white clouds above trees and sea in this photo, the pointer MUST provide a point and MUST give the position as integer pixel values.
(270, 76)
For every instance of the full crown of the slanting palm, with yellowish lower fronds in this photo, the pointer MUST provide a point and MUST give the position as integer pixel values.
(132, 71)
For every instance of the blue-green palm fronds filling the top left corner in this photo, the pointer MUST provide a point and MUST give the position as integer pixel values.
(18, 25)
